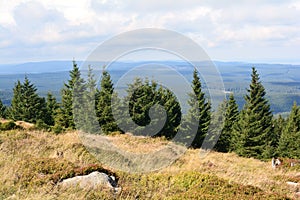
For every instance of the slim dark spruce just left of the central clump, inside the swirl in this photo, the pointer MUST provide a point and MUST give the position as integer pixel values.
(103, 104)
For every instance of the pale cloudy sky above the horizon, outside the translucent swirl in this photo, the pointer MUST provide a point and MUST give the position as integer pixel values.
(249, 31)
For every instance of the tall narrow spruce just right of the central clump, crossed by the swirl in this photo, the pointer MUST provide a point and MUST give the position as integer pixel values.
(199, 115)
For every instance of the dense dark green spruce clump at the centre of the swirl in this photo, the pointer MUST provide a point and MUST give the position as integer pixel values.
(144, 96)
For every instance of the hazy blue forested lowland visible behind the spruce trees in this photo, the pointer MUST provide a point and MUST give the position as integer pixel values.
(280, 80)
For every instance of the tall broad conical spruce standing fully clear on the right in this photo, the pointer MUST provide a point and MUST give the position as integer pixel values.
(254, 128)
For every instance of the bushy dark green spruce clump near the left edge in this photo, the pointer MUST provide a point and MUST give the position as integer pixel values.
(26, 104)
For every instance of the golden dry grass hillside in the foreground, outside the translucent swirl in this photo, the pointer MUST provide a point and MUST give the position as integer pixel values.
(30, 169)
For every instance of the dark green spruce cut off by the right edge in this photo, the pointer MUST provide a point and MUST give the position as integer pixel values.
(290, 137)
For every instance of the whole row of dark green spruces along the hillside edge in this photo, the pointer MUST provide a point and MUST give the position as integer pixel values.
(252, 131)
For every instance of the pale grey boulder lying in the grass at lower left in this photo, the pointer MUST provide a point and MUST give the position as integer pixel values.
(91, 181)
